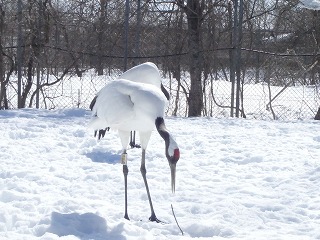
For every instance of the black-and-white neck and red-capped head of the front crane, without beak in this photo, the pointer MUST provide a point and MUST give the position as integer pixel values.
(172, 149)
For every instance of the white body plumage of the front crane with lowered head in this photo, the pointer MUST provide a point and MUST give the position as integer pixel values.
(128, 106)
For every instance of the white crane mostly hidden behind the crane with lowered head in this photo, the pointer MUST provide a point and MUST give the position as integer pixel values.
(147, 73)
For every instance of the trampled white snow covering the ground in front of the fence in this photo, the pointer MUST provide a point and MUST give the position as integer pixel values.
(236, 179)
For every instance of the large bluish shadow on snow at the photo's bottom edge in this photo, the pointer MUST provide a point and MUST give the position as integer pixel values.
(84, 226)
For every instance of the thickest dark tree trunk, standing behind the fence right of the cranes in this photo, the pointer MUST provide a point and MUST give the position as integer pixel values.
(194, 15)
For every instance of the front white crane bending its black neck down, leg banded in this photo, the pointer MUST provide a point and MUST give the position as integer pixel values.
(128, 106)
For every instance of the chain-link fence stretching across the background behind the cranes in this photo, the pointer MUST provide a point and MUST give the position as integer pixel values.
(65, 46)
